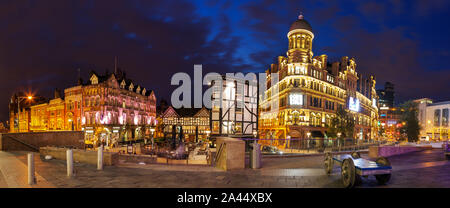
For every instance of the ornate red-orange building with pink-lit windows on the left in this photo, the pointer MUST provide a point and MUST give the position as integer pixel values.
(108, 108)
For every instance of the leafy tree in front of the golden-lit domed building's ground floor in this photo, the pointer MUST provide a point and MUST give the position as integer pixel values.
(342, 123)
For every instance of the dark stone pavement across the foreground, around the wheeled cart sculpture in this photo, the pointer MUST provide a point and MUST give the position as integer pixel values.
(427, 168)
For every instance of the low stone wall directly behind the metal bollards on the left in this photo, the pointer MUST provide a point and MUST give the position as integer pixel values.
(81, 156)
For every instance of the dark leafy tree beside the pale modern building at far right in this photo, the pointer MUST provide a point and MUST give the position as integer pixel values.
(410, 124)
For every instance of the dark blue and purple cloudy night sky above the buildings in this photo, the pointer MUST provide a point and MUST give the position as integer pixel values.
(43, 43)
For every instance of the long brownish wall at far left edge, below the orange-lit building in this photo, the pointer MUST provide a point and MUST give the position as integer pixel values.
(34, 140)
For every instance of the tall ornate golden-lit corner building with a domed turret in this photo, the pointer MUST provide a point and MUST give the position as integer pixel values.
(308, 90)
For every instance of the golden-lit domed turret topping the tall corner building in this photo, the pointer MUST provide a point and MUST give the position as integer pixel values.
(300, 37)
